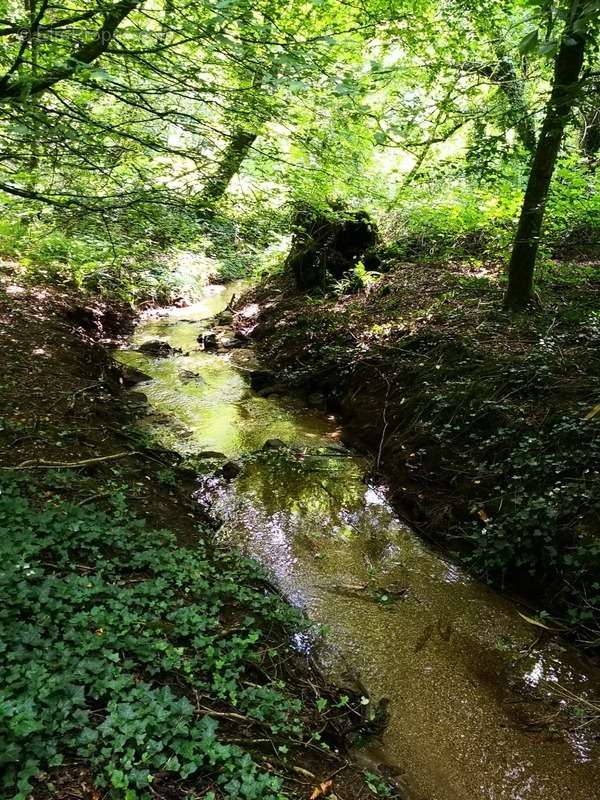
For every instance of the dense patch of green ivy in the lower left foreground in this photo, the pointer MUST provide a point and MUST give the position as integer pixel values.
(157, 668)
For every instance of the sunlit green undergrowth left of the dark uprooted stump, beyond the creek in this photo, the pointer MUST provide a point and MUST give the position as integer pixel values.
(142, 259)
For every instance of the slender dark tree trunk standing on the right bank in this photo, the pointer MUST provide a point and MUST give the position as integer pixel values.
(567, 69)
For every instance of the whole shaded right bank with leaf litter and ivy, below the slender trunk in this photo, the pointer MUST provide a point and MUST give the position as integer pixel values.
(486, 426)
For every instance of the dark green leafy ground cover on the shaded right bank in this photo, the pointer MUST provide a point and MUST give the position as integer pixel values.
(536, 503)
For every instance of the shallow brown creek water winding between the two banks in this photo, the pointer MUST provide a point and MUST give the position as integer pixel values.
(463, 671)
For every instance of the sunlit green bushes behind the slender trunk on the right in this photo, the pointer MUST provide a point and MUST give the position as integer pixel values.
(451, 215)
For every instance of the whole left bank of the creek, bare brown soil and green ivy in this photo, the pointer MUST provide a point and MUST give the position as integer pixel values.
(140, 659)
